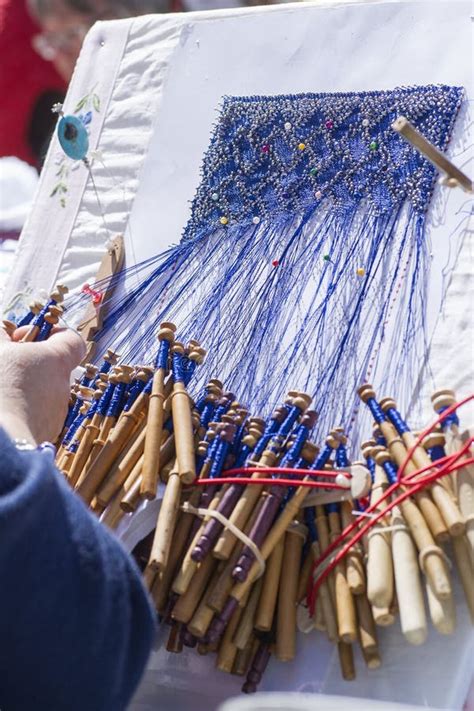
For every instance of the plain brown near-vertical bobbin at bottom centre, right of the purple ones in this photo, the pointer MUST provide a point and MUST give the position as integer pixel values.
(285, 649)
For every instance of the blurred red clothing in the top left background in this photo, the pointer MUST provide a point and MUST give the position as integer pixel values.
(28, 86)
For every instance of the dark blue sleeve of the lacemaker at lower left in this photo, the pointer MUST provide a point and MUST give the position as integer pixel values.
(76, 625)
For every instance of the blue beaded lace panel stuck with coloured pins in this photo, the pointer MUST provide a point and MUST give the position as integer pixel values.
(289, 154)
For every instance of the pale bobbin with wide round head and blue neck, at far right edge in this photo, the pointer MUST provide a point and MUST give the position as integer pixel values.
(464, 478)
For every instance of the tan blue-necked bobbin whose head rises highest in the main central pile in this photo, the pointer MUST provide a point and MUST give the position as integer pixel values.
(155, 421)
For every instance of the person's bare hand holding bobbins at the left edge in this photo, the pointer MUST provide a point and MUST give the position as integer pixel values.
(34, 383)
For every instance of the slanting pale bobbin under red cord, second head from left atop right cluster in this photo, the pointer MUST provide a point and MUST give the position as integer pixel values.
(448, 508)
